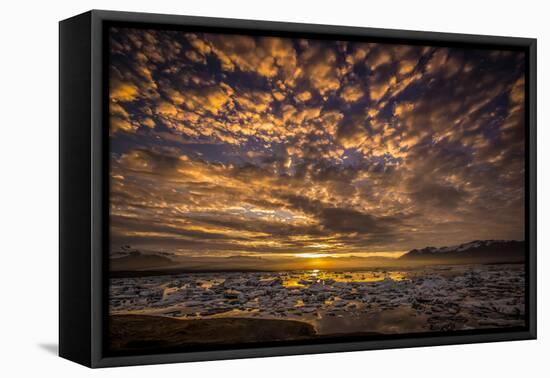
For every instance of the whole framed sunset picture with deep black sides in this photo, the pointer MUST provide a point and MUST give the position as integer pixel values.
(234, 188)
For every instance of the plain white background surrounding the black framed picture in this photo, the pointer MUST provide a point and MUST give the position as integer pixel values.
(29, 186)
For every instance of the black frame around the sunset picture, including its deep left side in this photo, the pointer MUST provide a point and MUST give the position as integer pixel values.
(84, 189)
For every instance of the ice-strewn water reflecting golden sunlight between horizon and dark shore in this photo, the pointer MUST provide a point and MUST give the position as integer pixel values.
(435, 298)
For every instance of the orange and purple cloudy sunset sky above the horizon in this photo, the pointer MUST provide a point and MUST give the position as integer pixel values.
(225, 144)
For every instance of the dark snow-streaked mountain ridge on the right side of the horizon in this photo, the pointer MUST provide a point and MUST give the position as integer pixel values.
(474, 252)
